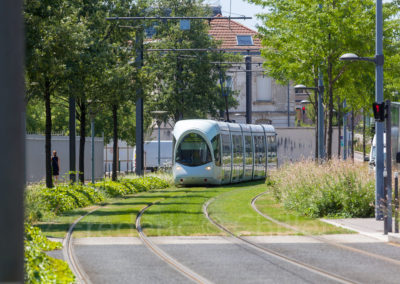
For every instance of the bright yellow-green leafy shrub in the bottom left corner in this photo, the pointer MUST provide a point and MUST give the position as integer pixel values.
(39, 267)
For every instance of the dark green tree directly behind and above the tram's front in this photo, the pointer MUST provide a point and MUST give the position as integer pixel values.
(185, 84)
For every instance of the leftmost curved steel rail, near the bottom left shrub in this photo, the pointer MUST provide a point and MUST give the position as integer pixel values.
(69, 255)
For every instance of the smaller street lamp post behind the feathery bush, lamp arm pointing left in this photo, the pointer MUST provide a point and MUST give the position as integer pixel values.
(320, 116)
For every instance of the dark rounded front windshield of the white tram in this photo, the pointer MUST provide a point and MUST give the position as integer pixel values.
(193, 151)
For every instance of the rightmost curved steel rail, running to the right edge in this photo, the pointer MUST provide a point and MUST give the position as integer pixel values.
(332, 243)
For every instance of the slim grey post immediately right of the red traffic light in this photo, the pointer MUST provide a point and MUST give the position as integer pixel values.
(388, 197)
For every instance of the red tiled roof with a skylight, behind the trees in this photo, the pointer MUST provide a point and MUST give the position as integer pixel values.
(226, 30)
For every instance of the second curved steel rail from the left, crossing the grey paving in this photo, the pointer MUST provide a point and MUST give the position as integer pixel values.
(190, 274)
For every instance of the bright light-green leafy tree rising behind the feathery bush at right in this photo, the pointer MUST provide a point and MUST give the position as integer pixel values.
(302, 37)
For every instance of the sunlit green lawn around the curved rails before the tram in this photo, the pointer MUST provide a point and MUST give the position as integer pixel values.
(179, 212)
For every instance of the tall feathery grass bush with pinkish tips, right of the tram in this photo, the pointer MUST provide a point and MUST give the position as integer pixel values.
(333, 189)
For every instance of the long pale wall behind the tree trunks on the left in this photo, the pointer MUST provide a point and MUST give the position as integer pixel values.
(35, 156)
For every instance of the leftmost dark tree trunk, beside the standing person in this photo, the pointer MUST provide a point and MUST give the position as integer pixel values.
(49, 180)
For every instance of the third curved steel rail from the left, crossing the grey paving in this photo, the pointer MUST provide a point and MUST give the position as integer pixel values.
(276, 254)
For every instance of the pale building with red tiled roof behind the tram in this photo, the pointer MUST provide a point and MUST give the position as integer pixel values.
(270, 101)
